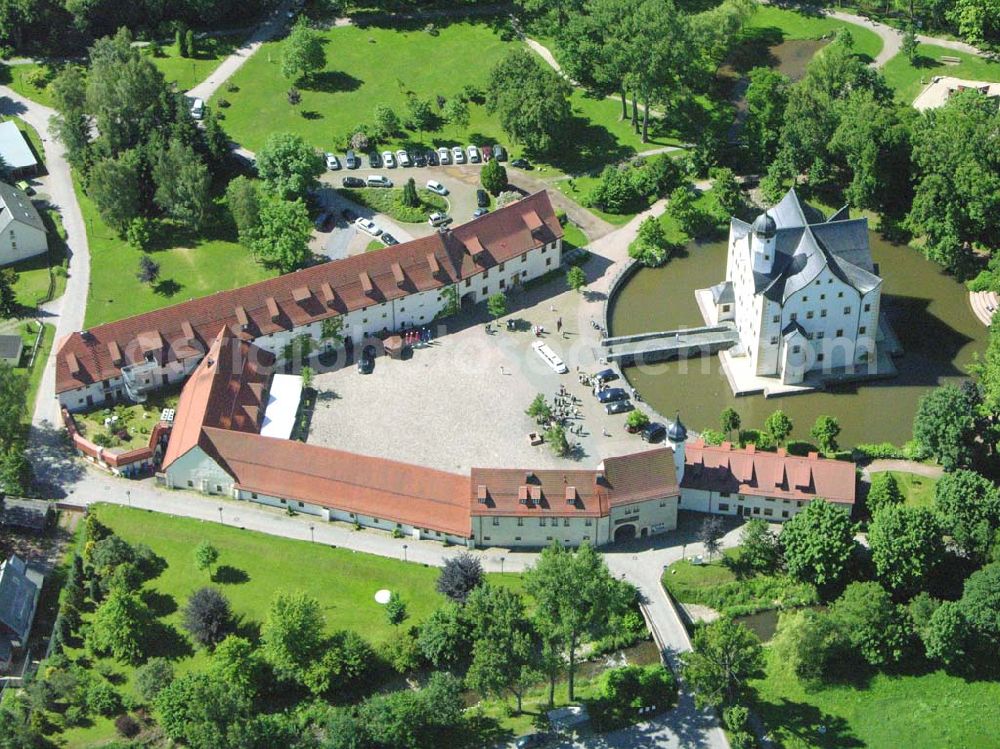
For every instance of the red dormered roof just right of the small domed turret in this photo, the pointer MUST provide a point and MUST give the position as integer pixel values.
(723, 468)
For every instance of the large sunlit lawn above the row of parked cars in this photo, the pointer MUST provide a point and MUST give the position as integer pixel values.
(369, 66)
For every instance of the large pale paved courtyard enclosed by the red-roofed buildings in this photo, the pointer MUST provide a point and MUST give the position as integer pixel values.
(461, 401)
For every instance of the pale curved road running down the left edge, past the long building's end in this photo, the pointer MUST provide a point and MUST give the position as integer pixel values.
(67, 312)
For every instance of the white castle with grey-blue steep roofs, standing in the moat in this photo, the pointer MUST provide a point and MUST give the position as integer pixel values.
(803, 294)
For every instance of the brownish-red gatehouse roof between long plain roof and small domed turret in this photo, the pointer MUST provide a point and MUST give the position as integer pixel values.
(587, 493)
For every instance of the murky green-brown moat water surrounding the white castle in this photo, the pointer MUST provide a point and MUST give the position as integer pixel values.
(928, 309)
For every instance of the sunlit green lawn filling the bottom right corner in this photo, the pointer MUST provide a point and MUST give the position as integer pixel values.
(918, 712)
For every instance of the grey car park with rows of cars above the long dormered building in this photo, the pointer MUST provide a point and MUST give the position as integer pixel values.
(344, 239)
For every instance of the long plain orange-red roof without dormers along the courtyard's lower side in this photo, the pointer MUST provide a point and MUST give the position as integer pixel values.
(385, 489)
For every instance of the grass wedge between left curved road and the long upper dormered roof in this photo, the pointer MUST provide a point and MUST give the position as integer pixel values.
(190, 266)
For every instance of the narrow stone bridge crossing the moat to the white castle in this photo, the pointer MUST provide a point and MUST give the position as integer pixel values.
(683, 343)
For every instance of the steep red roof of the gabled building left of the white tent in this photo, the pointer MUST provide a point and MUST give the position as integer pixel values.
(227, 389)
